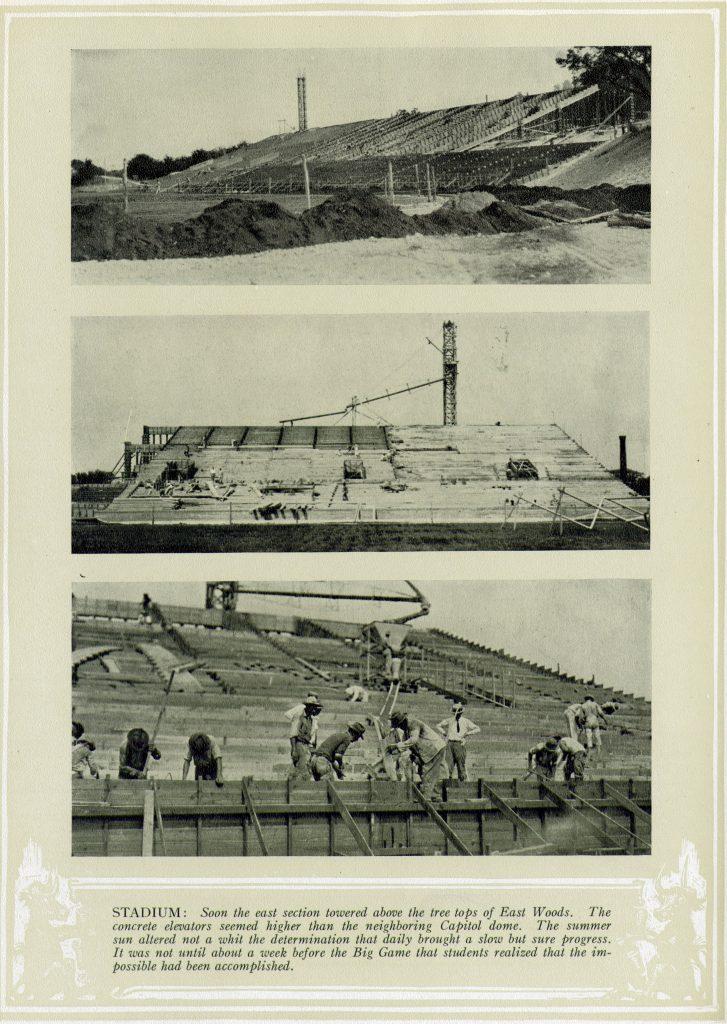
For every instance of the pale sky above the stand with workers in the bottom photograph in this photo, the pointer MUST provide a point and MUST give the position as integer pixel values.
(586, 627)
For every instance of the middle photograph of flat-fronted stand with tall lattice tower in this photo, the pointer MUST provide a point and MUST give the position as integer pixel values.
(518, 432)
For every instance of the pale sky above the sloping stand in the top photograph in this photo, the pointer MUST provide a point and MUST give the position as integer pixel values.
(174, 102)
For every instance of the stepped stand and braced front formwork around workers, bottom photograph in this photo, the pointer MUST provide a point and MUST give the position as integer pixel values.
(249, 668)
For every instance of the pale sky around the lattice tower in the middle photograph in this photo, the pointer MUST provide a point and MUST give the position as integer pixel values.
(586, 372)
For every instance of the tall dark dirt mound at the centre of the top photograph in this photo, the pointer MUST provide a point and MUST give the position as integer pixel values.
(355, 215)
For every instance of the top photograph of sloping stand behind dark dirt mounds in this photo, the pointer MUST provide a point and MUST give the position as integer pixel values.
(415, 166)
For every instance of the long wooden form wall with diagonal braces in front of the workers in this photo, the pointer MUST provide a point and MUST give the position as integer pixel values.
(302, 821)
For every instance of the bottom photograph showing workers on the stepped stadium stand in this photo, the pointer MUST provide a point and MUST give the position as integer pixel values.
(398, 718)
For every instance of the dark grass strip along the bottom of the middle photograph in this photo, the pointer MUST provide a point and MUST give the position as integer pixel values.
(95, 538)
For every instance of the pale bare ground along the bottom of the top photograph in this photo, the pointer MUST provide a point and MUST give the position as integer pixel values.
(557, 254)
